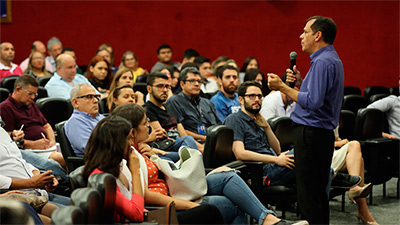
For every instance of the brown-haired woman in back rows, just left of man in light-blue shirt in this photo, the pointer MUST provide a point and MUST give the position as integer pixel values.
(37, 65)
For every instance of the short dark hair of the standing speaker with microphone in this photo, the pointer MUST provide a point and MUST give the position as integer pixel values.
(327, 27)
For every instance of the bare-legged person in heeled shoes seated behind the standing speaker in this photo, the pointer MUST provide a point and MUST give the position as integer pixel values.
(349, 158)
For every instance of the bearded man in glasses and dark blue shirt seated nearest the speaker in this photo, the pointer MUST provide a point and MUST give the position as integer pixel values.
(254, 140)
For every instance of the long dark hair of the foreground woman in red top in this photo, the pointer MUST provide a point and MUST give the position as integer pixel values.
(106, 146)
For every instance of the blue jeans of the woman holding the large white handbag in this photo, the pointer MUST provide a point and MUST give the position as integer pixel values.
(232, 196)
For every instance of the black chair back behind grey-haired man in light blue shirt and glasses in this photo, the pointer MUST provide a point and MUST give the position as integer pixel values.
(71, 159)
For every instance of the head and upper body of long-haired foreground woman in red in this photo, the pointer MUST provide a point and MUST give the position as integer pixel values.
(107, 146)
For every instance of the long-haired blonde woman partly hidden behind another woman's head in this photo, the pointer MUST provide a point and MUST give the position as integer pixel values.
(124, 76)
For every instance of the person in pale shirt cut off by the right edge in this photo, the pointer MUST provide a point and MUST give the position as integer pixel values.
(391, 107)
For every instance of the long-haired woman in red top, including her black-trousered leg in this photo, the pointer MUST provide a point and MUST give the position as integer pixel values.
(113, 136)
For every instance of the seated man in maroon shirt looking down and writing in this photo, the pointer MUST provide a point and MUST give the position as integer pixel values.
(22, 117)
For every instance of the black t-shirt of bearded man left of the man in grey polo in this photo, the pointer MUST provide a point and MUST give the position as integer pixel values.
(164, 117)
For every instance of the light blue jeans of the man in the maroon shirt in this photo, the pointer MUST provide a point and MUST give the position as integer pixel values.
(44, 164)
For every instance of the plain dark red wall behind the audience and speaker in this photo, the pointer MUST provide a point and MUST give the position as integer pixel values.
(367, 39)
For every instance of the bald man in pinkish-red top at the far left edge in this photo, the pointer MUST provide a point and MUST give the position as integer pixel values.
(7, 68)
